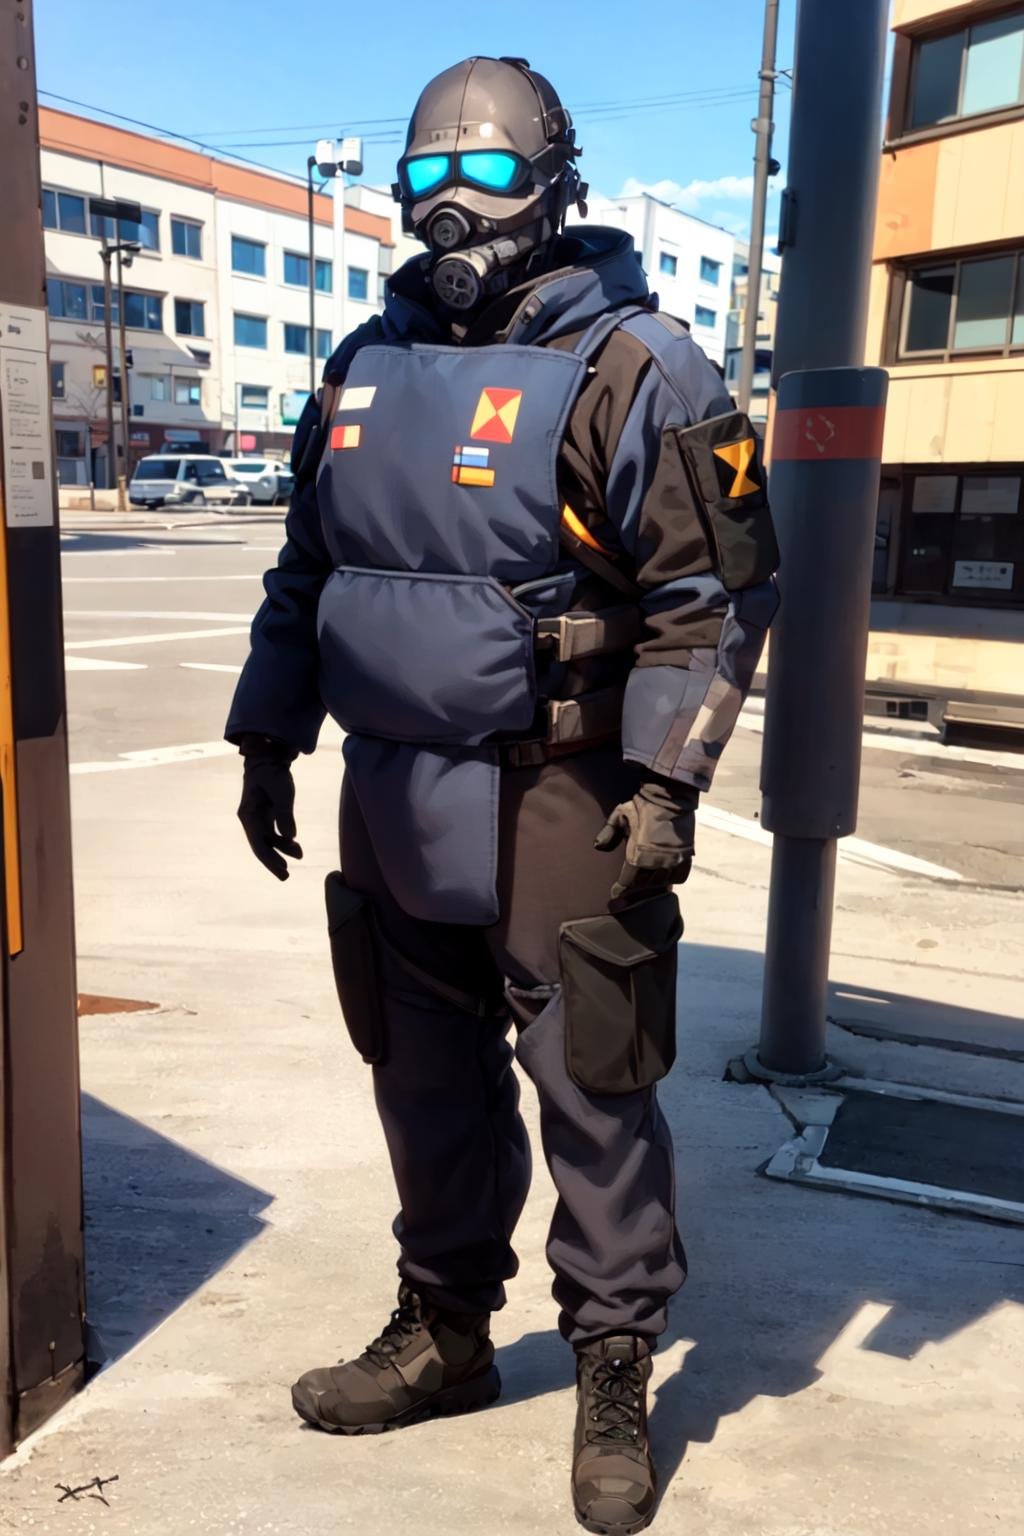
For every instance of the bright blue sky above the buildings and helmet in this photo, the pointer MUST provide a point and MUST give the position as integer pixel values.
(662, 96)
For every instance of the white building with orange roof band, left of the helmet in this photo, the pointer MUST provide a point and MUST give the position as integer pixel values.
(216, 302)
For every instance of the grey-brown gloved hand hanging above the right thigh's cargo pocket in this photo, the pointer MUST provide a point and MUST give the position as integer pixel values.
(658, 826)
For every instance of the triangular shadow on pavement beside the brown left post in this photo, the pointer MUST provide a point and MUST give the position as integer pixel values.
(159, 1223)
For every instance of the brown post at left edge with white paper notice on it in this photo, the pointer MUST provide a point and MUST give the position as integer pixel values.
(42, 1302)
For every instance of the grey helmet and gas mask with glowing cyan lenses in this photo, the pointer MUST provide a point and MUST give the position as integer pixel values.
(487, 176)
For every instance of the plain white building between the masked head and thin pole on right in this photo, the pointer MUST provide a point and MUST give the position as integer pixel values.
(687, 260)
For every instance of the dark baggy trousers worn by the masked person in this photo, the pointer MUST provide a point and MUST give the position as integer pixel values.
(449, 1099)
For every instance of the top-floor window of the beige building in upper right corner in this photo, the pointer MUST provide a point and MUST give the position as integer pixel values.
(969, 71)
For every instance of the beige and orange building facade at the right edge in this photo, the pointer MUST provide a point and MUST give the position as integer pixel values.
(948, 323)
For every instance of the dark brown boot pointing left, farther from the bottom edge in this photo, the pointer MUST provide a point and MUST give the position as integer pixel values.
(426, 1362)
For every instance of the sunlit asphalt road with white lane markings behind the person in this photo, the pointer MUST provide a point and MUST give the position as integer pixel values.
(157, 620)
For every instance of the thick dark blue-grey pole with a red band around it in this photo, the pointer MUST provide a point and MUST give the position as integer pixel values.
(825, 457)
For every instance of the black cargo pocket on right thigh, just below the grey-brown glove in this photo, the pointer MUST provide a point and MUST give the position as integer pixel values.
(619, 995)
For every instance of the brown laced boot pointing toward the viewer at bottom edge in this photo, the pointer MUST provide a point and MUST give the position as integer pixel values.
(613, 1477)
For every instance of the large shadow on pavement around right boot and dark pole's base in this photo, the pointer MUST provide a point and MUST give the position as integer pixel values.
(779, 1273)
